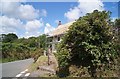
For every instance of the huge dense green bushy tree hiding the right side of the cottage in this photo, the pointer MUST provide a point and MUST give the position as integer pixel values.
(89, 42)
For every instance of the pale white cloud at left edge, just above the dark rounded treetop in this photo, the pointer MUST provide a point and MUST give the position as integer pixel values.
(9, 25)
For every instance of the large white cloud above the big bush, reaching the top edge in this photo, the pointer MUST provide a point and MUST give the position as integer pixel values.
(83, 7)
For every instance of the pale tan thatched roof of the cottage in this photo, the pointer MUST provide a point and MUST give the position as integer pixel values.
(61, 29)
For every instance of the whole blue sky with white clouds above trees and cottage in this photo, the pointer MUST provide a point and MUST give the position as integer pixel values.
(27, 19)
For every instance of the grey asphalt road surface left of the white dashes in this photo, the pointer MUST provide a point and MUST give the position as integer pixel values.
(11, 69)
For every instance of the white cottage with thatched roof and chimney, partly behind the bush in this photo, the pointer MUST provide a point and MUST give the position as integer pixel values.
(56, 35)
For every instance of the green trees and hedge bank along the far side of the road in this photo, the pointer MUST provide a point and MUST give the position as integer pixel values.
(17, 49)
